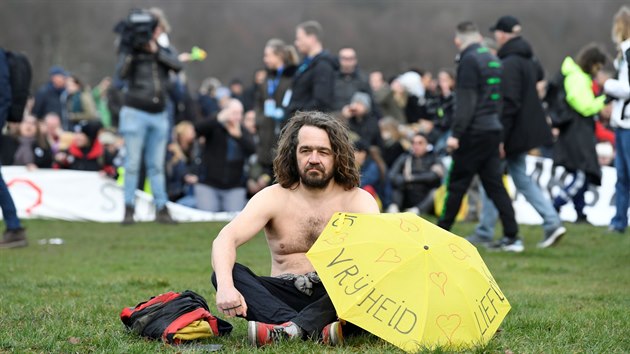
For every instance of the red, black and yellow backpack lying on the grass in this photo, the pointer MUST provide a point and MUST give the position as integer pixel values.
(162, 316)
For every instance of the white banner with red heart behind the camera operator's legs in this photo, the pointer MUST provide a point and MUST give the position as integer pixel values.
(84, 196)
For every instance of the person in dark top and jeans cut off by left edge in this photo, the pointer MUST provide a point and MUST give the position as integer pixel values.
(14, 236)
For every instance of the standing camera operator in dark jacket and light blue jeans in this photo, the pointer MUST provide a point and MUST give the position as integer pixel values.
(144, 65)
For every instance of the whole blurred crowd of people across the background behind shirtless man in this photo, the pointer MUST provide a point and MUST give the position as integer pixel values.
(213, 149)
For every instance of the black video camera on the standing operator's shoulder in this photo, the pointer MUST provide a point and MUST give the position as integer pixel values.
(136, 30)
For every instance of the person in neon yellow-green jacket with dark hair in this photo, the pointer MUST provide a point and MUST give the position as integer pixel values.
(575, 147)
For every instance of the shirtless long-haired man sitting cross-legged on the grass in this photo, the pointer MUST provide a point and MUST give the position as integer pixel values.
(317, 177)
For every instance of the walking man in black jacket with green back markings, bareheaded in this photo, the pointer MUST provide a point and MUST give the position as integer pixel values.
(477, 134)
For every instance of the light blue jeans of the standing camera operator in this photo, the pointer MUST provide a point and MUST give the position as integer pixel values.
(146, 132)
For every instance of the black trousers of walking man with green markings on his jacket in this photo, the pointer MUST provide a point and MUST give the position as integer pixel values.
(478, 154)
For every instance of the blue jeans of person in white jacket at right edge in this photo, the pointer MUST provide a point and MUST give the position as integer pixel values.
(622, 187)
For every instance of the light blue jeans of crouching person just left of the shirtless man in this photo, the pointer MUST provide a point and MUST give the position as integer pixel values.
(215, 199)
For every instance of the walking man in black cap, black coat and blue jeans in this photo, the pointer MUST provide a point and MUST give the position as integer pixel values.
(524, 128)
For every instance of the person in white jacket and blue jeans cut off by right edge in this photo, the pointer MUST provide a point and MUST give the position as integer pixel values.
(620, 118)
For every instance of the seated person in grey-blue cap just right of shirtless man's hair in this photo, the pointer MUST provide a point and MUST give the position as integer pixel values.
(360, 119)
